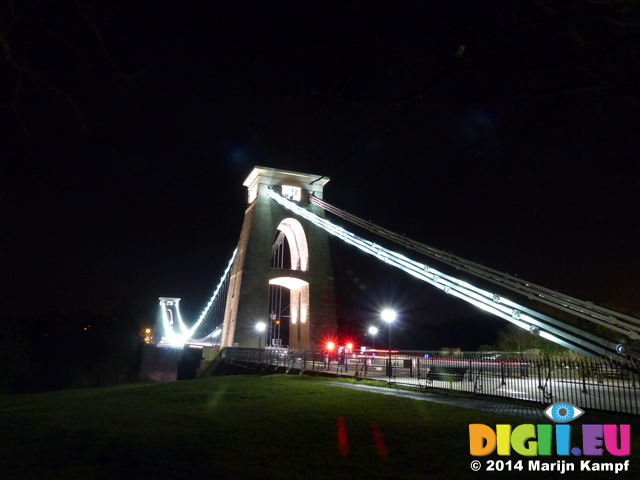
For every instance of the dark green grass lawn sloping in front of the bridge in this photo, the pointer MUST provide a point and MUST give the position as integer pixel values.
(245, 427)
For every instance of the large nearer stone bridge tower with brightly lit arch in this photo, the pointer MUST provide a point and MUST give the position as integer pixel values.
(282, 274)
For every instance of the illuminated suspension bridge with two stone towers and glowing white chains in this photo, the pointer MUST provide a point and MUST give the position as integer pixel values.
(280, 276)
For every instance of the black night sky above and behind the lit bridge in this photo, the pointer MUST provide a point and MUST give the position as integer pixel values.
(506, 132)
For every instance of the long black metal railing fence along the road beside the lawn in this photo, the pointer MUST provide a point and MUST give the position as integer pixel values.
(594, 383)
